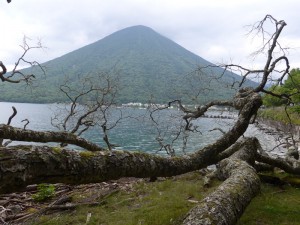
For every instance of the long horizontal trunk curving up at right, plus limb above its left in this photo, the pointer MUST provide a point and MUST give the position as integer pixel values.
(20, 166)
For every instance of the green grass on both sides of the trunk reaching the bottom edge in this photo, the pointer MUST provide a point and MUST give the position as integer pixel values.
(167, 201)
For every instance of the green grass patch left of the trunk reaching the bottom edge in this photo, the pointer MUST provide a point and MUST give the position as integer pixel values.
(155, 203)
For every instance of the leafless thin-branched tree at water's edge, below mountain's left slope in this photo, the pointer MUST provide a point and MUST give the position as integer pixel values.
(89, 106)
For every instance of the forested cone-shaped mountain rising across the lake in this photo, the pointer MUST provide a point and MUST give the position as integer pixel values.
(148, 64)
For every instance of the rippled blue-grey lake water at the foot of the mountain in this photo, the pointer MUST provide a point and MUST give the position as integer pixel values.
(136, 131)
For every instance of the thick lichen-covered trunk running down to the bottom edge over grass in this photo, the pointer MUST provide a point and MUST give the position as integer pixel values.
(225, 205)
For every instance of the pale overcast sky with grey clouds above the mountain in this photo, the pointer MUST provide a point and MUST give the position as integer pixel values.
(212, 29)
